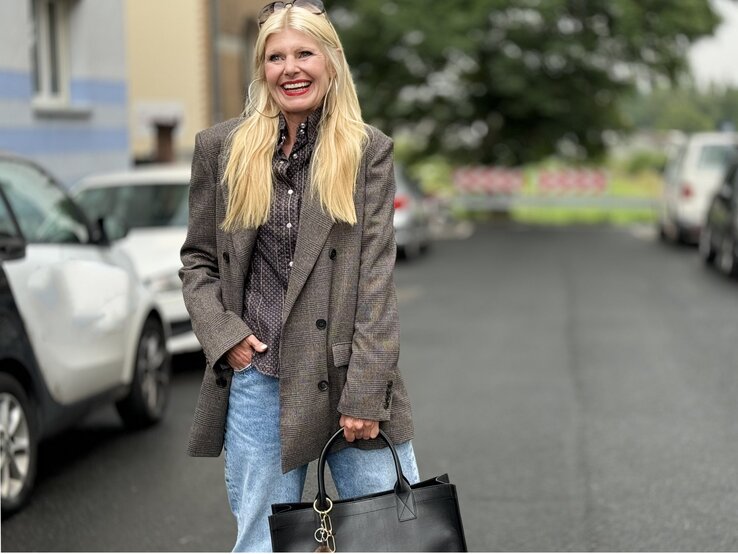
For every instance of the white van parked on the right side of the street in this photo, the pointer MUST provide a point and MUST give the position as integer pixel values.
(691, 177)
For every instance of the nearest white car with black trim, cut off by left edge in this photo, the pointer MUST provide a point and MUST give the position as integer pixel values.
(78, 327)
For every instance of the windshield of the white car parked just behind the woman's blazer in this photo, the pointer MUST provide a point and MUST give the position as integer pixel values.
(136, 206)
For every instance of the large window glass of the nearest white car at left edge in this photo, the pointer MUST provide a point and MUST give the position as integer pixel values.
(44, 212)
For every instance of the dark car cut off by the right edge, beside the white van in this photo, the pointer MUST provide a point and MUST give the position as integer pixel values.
(719, 238)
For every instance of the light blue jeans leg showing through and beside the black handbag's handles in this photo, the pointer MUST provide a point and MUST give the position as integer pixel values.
(359, 472)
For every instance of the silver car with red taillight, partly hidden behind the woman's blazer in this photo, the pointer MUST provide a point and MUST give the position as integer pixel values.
(412, 220)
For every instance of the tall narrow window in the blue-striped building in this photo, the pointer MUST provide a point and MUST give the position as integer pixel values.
(50, 50)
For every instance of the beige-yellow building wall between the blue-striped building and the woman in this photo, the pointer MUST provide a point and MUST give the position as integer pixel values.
(169, 72)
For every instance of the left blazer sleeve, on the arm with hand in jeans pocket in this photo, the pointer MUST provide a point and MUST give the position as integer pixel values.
(217, 329)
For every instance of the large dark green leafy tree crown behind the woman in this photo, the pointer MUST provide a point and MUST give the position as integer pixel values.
(510, 81)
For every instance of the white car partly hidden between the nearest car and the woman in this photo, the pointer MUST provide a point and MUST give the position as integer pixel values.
(145, 212)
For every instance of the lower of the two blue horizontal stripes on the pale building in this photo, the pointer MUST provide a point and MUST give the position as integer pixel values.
(51, 140)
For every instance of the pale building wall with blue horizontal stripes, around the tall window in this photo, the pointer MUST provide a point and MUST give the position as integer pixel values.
(89, 133)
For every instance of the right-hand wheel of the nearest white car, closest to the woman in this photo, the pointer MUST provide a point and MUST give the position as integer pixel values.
(147, 398)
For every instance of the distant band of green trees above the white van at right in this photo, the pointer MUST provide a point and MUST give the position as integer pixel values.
(685, 108)
